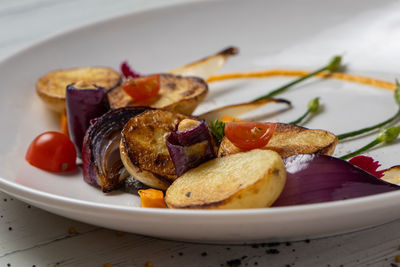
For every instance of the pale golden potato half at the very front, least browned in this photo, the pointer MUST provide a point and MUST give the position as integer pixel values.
(252, 179)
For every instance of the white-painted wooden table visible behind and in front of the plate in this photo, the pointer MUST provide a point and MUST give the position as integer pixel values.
(32, 237)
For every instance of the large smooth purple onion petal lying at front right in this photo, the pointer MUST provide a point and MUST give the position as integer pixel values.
(320, 178)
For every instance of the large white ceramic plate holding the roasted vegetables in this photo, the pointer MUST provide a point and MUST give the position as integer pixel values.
(270, 34)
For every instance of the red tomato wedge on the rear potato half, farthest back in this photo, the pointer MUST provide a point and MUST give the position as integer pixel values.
(142, 88)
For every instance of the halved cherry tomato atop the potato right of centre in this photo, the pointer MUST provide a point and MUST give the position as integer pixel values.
(249, 135)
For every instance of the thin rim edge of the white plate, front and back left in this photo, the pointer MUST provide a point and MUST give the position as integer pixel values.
(23, 192)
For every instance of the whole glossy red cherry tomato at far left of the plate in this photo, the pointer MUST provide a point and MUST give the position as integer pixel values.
(53, 152)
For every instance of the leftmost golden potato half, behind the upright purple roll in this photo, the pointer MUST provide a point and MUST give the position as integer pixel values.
(51, 87)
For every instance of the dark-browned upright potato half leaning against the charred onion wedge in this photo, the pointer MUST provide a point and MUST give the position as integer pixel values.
(144, 146)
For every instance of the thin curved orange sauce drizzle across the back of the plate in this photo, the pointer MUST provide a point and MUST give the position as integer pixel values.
(284, 72)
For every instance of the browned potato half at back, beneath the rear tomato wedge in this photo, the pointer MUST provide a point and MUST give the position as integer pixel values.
(177, 93)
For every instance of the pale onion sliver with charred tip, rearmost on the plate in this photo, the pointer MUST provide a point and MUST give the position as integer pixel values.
(208, 66)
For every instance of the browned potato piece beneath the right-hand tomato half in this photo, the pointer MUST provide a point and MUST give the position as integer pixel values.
(290, 140)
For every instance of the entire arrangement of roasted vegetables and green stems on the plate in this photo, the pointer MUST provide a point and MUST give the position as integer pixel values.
(137, 132)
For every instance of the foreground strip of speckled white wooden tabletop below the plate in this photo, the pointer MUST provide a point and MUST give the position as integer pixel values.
(30, 236)
